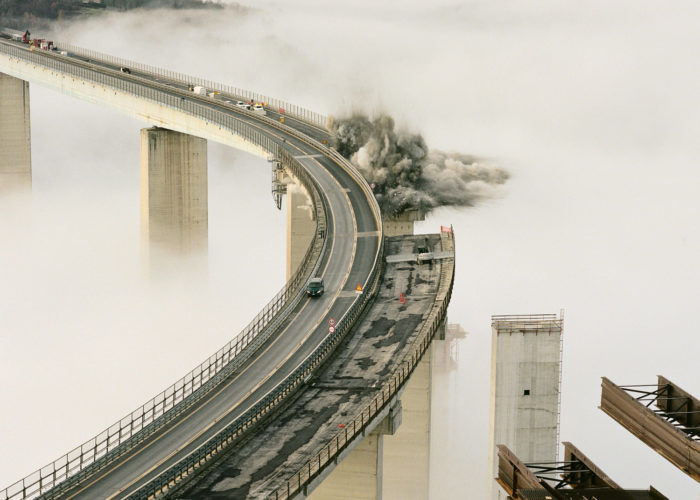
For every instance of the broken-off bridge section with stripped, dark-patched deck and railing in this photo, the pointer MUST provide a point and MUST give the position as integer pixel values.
(290, 455)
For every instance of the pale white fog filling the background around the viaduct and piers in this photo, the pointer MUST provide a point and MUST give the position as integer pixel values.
(593, 108)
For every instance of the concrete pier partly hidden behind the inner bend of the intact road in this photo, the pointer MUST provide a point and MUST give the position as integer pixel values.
(300, 226)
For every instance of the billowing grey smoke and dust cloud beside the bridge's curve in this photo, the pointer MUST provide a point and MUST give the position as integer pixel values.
(405, 174)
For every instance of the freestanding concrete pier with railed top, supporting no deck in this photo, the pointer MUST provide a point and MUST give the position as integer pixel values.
(525, 389)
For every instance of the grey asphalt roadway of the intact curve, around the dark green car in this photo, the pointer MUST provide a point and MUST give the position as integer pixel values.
(349, 264)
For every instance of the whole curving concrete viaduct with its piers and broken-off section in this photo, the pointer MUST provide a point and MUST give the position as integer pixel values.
(289, 408)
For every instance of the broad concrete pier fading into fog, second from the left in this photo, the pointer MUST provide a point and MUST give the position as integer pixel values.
(174, 199)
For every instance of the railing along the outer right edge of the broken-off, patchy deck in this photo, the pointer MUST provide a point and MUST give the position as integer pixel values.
(389, 389)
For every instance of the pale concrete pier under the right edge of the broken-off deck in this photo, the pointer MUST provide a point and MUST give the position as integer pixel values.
(406, 459)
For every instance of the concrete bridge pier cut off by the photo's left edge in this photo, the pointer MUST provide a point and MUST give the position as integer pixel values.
(15, 134)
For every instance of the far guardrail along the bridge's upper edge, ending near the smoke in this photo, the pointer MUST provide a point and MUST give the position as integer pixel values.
(290, 109)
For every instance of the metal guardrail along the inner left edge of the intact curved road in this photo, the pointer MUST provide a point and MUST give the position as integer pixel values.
(108, 443)
